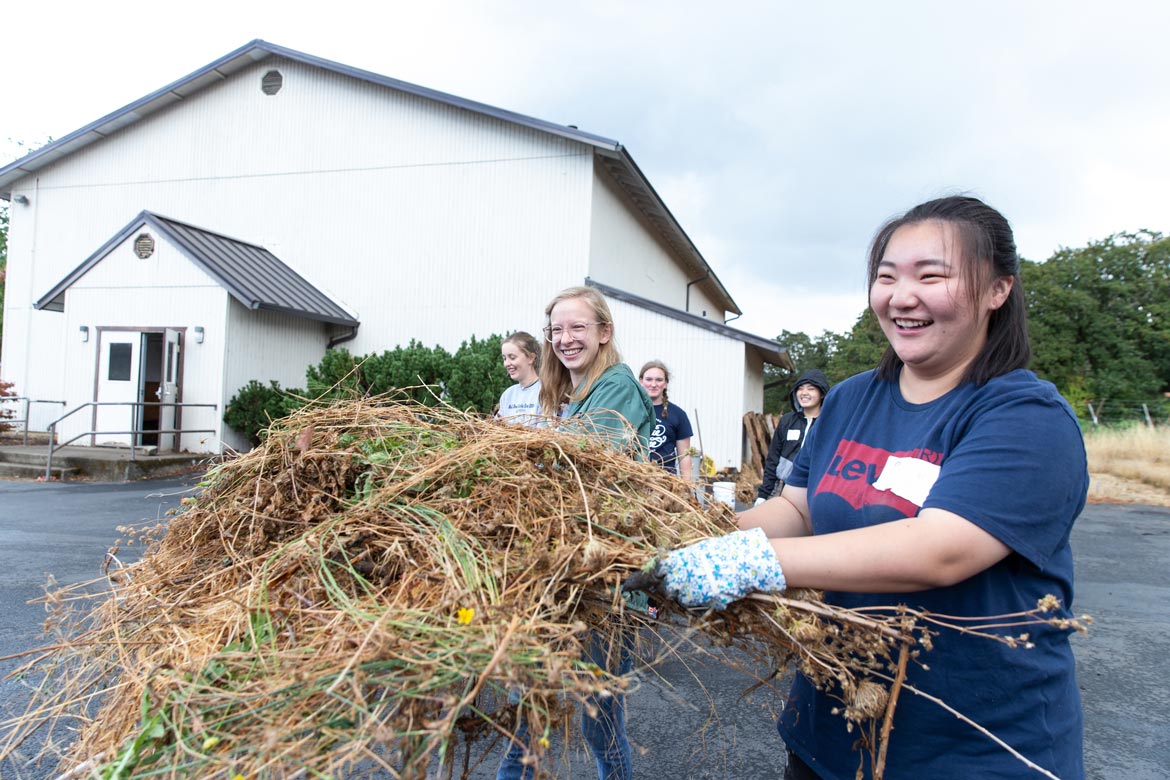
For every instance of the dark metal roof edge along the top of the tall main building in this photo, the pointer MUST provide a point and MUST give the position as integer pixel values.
(617, 161)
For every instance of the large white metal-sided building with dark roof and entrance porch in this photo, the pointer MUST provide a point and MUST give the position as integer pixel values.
(235, 224)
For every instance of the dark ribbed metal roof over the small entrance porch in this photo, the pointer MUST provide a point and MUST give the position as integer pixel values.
(251, 274)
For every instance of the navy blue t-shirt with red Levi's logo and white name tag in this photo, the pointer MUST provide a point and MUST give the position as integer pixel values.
(1009, 458)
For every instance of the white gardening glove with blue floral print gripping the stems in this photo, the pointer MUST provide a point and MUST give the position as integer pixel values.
(718, 571)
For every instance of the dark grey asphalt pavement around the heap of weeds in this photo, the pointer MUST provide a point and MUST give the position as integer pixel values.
(691, 717)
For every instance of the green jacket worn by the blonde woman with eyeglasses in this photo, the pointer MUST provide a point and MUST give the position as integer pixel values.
(618, 410)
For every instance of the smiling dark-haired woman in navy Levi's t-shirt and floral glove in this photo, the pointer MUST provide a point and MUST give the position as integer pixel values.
(947, 480)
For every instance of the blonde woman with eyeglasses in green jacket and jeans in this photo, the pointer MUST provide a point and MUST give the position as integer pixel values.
(584, 382)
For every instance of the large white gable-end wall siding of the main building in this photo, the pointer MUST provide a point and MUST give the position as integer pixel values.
(432, 223)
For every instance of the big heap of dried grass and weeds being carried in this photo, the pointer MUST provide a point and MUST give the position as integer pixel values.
(375, 581)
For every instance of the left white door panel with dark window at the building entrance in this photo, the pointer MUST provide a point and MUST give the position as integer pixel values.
(119, 381)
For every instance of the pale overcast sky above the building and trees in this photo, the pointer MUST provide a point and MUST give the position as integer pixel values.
(781, 135)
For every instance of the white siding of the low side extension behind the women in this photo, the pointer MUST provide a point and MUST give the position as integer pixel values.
(707, 375)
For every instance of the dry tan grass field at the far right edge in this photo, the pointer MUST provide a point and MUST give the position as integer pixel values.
(1130, 466)
